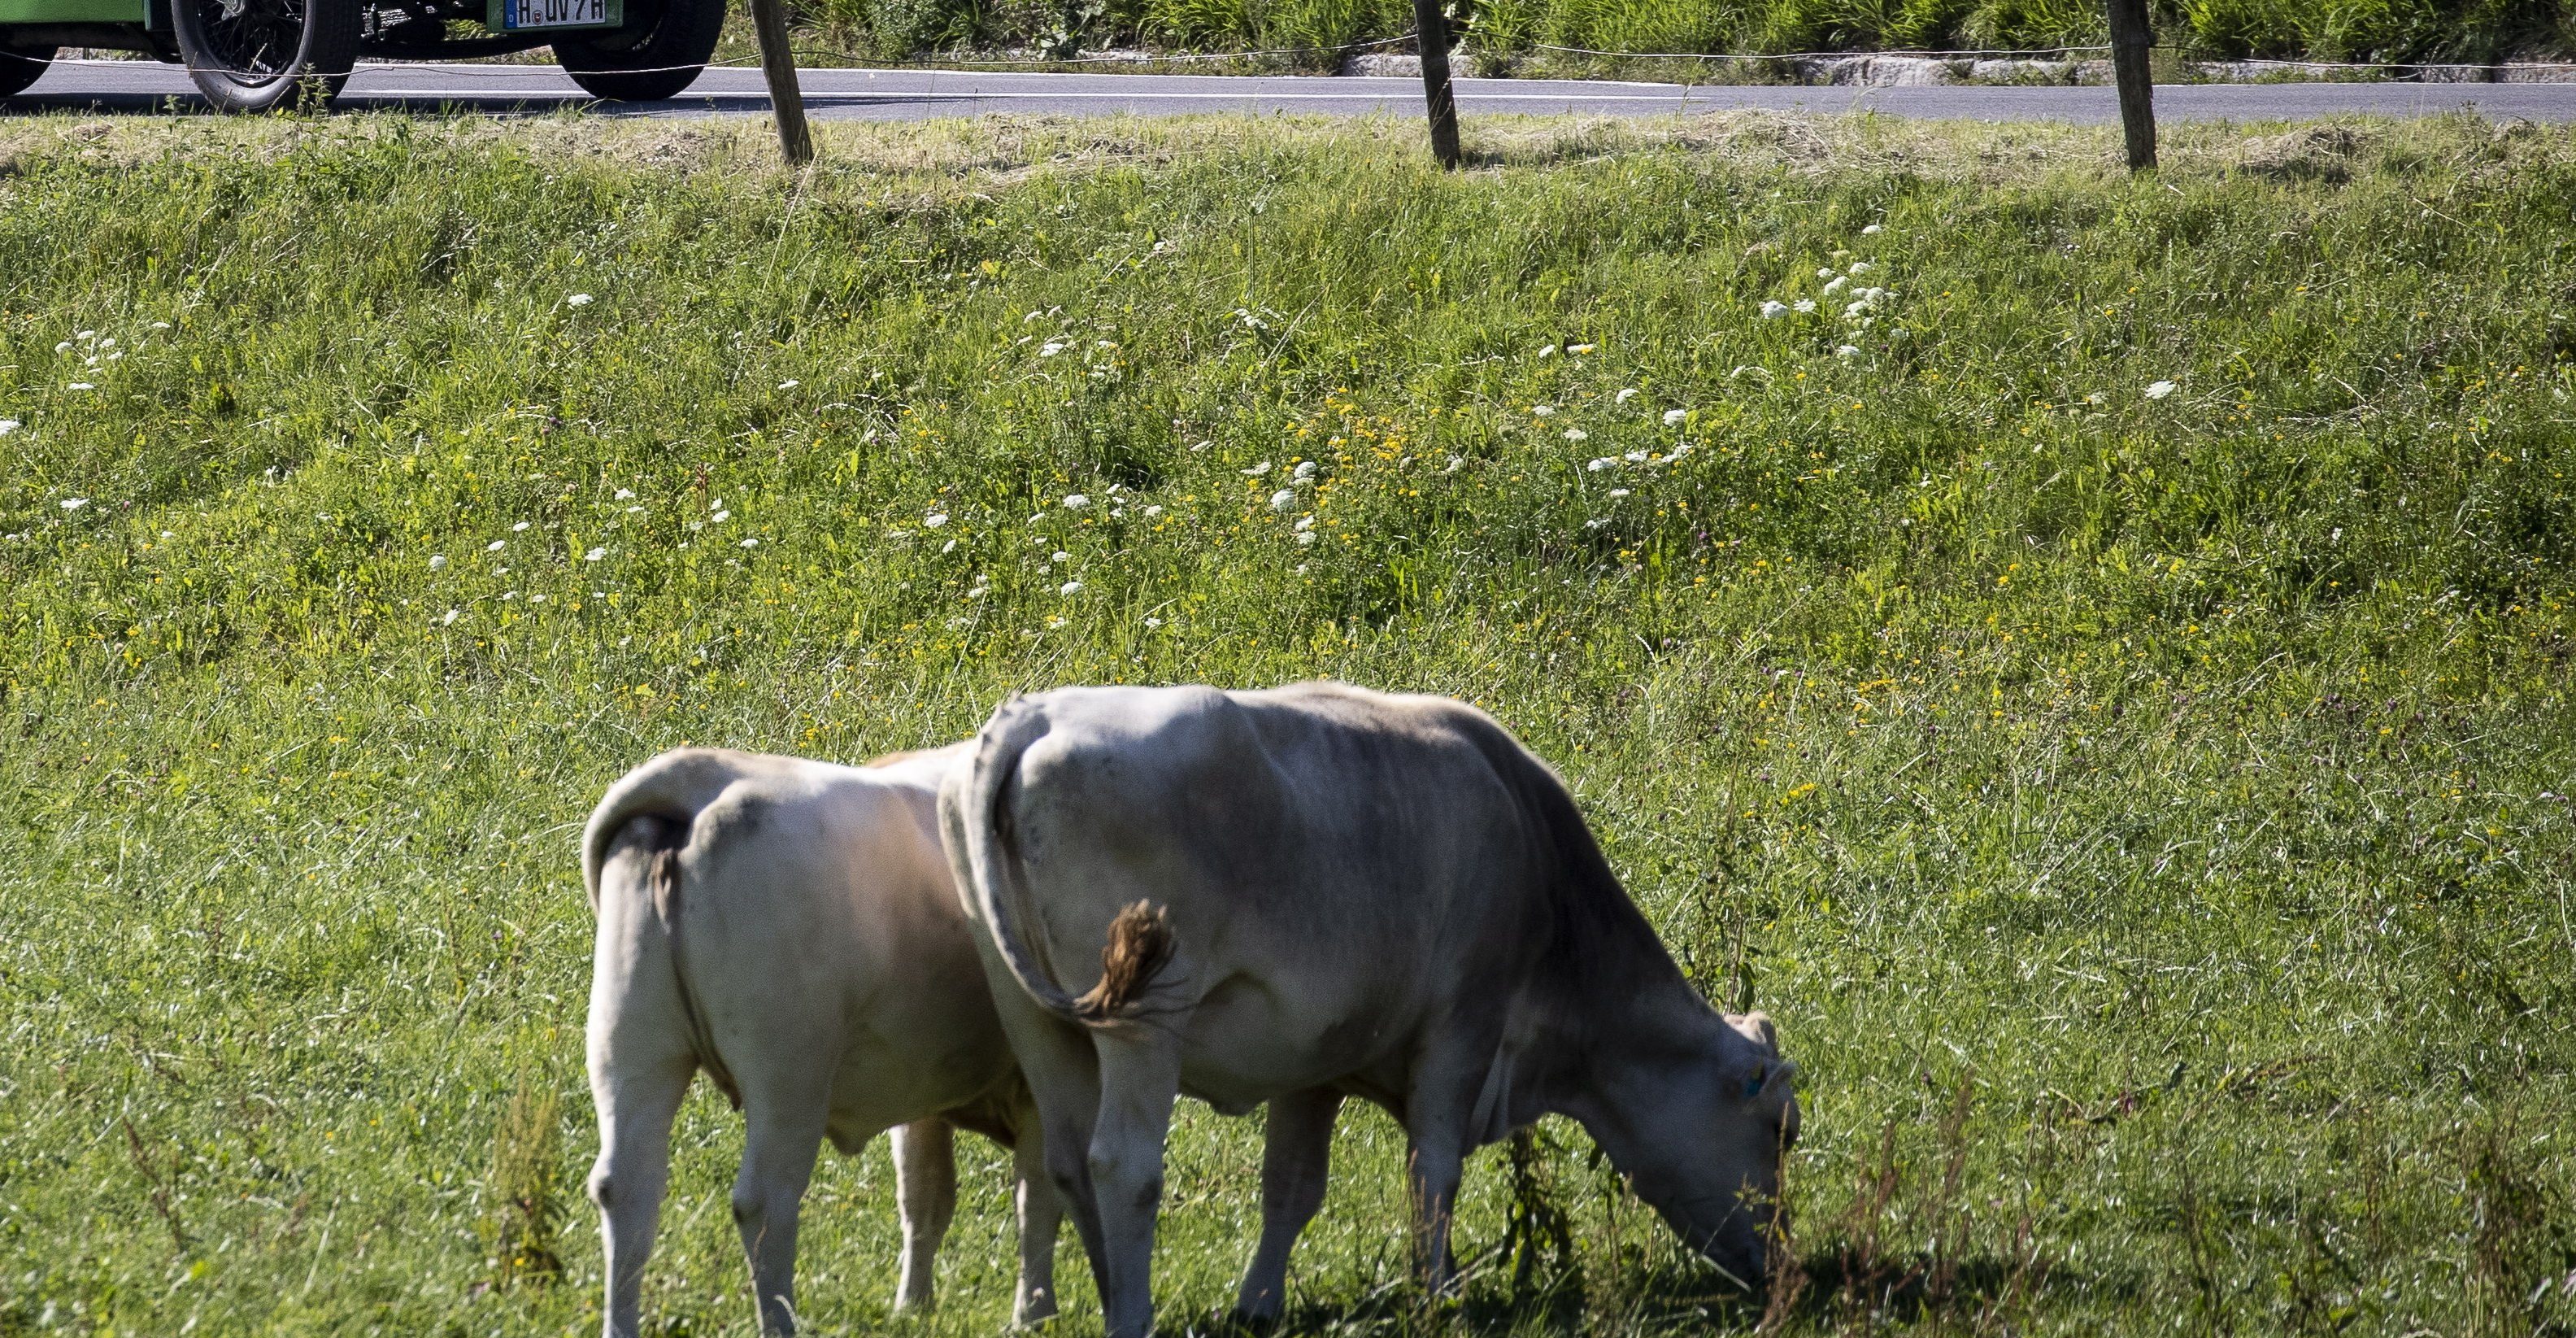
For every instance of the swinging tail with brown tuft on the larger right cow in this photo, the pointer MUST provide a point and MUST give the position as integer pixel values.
(996, 880)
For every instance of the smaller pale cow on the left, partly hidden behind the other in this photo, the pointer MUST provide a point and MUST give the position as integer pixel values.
(792, 929)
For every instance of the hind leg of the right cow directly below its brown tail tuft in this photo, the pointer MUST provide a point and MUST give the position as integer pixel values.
(1140, 1079)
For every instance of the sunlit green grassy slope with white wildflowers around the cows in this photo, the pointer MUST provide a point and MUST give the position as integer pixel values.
(2106, 692)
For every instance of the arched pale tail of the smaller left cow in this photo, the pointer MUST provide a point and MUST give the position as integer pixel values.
(656, 808)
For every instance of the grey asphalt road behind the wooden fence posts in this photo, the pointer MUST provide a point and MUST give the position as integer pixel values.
(921, 94)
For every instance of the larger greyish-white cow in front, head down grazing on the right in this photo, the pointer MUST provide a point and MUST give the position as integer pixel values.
(1325, 891)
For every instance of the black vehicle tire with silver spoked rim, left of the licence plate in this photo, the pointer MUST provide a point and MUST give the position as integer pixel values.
(267, 55)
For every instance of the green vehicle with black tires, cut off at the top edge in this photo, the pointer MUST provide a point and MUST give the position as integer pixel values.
(256, 55)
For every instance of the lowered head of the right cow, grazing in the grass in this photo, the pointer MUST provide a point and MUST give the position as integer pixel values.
(1701, 1128)
